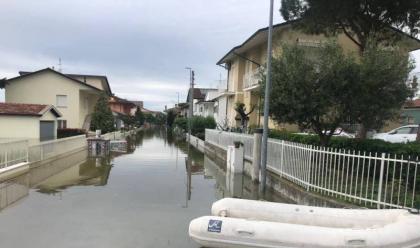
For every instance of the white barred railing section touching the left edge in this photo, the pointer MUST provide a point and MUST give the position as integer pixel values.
(13, 152)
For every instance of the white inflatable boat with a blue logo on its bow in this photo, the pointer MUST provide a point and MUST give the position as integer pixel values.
(245, 223)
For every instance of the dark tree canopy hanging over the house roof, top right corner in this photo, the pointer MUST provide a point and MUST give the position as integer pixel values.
(360, 20)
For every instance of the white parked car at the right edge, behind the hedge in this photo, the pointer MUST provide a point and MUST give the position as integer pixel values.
(402, 134)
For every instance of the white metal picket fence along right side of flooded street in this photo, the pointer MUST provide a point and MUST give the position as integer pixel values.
(369, 179)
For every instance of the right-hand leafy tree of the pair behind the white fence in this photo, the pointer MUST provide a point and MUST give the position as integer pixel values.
(382, 88)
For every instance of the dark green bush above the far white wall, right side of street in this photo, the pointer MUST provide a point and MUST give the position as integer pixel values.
(198, 125)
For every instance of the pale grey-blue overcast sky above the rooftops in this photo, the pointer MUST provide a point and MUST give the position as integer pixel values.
(142, 46)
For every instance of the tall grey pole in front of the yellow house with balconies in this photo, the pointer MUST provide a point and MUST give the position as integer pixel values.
(267, 99)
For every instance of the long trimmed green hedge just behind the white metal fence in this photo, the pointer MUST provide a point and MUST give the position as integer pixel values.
(363, 145)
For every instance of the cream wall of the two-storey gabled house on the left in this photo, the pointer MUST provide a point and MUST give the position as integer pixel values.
(43, 88)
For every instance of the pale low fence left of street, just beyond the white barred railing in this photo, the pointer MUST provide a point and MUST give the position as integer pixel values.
(52, 148)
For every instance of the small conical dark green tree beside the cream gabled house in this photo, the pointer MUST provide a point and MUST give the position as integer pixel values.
(102, 117)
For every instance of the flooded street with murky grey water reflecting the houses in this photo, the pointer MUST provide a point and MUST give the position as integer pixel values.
(145, 198)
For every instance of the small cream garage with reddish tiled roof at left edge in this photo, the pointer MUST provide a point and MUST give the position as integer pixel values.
(34, 122)
